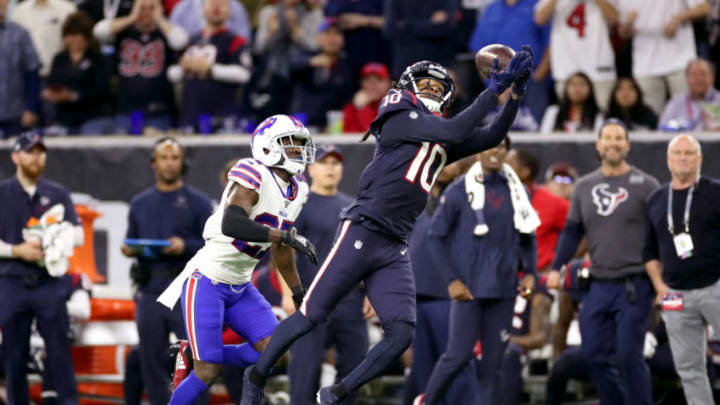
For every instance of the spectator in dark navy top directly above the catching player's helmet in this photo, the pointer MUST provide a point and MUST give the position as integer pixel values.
(420, 31)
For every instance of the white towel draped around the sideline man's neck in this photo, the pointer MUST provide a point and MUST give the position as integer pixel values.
(525, 218)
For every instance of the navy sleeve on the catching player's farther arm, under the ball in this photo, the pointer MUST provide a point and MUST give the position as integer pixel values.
(487, 137)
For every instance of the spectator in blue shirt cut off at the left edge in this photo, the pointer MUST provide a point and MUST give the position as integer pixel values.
(18, 77)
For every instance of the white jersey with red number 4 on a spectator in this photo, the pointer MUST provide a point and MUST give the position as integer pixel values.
(579, 40)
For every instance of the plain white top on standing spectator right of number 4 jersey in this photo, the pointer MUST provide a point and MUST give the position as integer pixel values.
(654, 54)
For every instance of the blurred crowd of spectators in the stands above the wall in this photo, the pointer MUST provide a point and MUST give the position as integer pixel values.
(220, 66)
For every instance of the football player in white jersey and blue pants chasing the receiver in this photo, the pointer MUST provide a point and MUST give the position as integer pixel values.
(263, 197)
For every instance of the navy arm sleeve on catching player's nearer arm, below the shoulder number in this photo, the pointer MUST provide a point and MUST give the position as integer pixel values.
(400, 126)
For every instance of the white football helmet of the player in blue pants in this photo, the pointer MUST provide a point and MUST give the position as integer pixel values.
(278, 133)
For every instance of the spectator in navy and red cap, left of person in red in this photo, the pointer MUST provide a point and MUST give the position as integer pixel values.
(323, 80)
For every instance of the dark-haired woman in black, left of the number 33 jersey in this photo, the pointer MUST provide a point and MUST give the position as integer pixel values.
(79, 83)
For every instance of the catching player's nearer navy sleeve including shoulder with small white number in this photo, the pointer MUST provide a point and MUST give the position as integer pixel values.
(419, 125)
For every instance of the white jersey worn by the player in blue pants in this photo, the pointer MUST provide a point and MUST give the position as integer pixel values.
(227, 260)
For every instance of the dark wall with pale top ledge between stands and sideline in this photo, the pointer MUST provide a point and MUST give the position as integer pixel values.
(116, 168)
